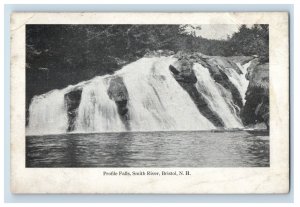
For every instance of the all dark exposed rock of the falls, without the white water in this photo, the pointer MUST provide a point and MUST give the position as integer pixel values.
(254, 111)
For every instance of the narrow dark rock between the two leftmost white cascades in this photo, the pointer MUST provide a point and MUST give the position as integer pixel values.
(72, 101)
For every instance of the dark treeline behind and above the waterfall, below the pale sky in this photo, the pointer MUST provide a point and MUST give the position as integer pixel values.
(59, 55)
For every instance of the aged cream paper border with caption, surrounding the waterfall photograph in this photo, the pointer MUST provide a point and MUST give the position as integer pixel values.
(195, 180)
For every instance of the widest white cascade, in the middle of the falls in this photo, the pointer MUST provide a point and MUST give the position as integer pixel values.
(157, 101)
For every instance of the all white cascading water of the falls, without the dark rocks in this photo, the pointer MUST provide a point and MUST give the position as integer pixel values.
(156, 102)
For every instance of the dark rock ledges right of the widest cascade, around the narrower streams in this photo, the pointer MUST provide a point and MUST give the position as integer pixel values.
(253, 112)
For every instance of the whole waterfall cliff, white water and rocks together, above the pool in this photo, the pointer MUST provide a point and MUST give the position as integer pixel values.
(162, 91)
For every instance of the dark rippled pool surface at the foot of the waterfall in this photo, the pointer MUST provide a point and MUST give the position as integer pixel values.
(149, 149)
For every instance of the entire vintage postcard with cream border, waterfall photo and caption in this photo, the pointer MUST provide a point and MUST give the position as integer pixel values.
(183, 103)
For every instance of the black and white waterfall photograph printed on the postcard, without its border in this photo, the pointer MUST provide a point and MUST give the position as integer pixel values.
(147, 95)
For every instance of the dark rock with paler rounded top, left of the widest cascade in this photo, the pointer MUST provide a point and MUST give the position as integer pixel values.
(117, 91)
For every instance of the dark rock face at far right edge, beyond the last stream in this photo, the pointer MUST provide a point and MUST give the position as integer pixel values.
(256, 109)
